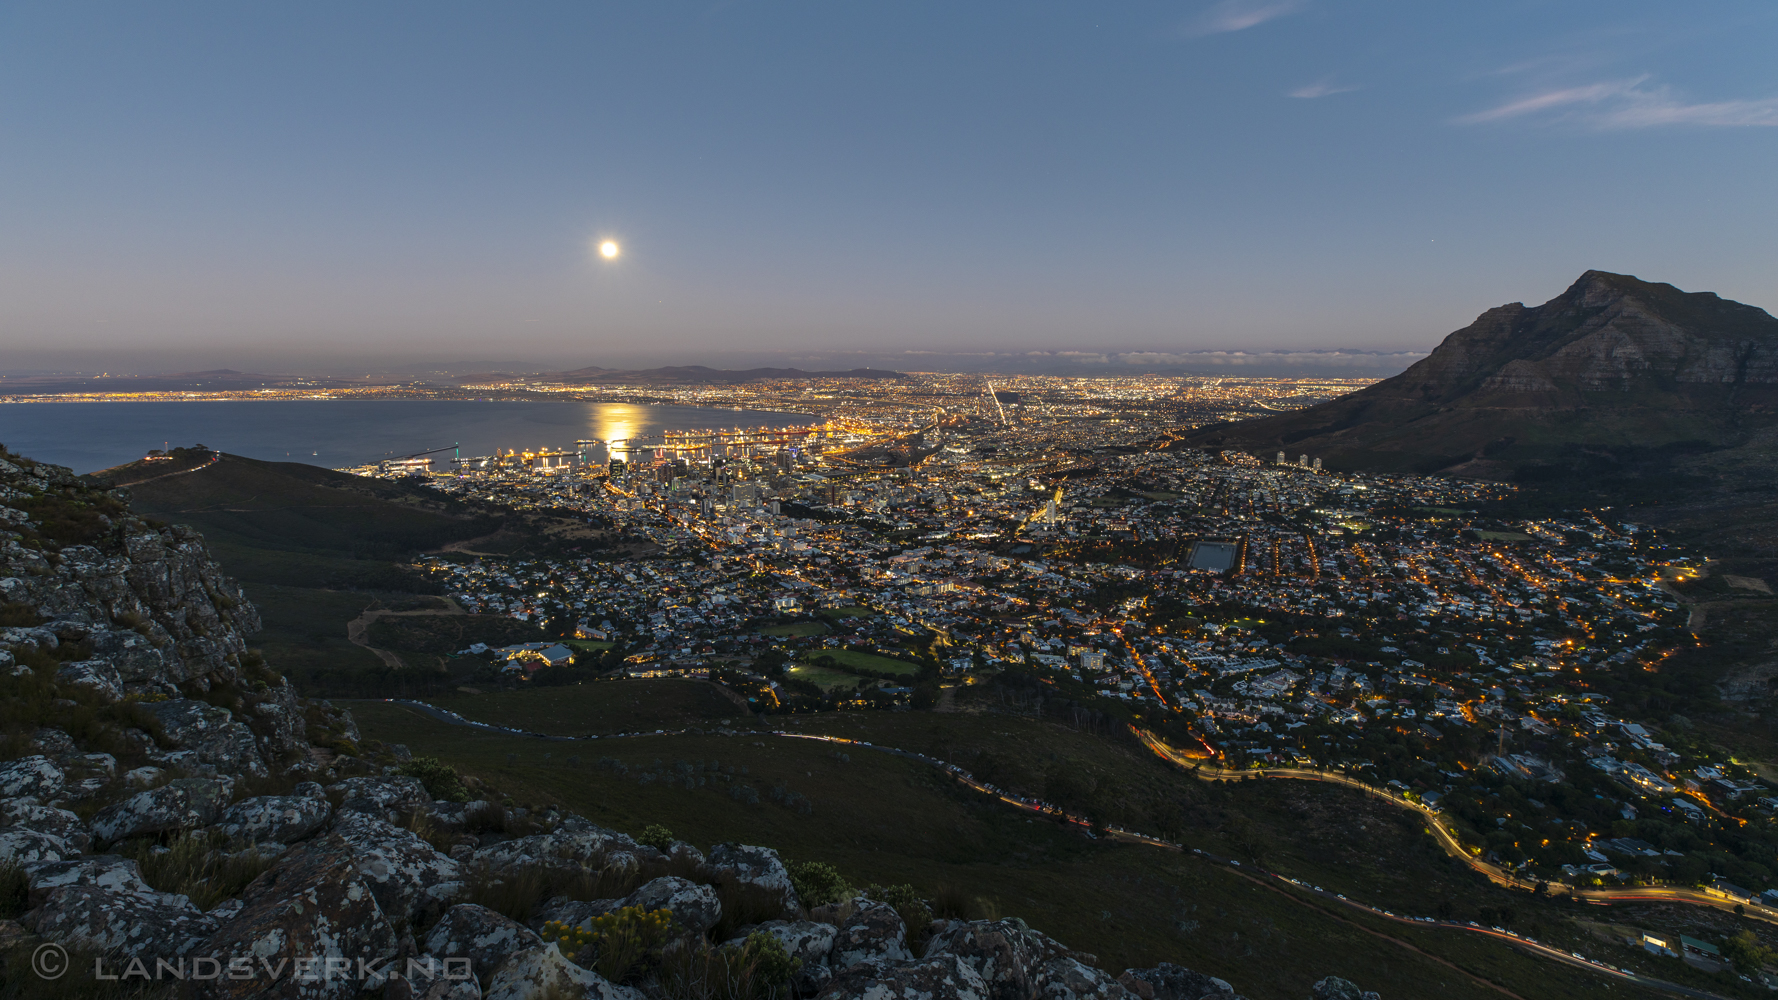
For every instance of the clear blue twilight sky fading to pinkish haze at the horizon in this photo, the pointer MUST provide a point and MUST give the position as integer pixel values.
(278, 184)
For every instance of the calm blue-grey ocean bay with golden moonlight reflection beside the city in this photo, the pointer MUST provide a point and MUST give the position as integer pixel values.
(90, 437)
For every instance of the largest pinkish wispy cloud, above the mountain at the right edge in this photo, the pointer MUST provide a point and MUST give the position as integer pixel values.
(1628, 104)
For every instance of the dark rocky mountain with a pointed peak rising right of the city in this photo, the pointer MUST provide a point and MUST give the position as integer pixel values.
(1614, 371)
